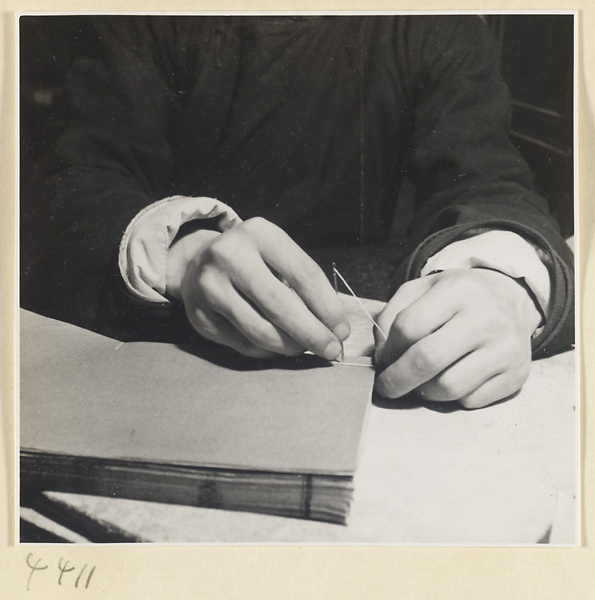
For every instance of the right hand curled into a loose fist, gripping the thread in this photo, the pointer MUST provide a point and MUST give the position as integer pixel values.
(462, 334)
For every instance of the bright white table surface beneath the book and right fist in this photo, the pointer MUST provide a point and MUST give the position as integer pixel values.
(429, 473)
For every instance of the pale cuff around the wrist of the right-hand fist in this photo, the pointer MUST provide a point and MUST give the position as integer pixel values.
(502, 251)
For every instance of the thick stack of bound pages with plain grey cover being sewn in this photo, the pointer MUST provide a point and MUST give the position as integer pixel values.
(187, 424)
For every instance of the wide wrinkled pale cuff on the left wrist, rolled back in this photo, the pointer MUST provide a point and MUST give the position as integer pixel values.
(143, 250)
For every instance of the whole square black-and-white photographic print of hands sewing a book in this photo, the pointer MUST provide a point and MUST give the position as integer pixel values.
(297, 279)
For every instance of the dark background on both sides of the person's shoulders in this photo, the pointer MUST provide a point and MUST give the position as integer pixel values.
(537, 64)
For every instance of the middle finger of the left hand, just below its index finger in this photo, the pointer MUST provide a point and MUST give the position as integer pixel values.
(283, 306)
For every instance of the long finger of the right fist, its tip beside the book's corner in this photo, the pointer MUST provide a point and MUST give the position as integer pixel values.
(427, 358)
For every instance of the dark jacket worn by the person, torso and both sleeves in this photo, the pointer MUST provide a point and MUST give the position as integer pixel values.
(311, 122)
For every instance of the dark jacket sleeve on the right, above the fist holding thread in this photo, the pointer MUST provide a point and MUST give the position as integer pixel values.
(467, 174)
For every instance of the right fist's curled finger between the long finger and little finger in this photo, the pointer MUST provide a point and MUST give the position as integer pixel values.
(464, 376)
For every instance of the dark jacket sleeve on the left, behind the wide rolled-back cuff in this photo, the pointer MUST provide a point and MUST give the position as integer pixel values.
(112, 161)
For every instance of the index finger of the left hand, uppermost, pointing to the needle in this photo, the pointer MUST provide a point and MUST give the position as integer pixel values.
(302, 273)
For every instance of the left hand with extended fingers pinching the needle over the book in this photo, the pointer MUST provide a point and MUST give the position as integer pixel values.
(231, 288)
